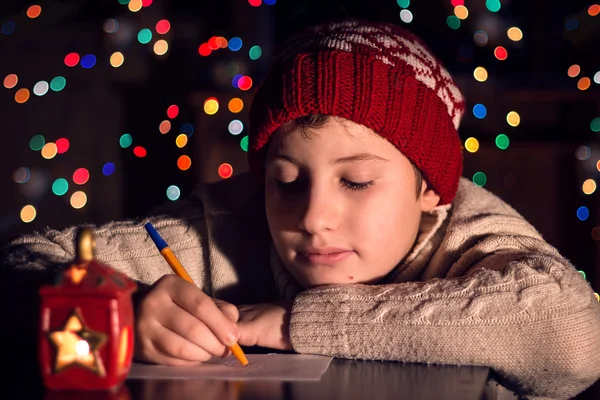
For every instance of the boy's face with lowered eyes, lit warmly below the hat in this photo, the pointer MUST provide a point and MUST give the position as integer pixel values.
(341, 205)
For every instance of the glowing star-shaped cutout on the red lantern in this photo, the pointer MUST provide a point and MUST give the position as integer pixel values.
(76, 344)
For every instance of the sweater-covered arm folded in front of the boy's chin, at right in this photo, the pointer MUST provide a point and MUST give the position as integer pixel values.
(537, 324)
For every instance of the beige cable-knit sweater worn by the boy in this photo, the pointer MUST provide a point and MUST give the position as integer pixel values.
(481, 286)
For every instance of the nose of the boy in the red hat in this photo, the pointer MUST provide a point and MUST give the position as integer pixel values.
(320, 212)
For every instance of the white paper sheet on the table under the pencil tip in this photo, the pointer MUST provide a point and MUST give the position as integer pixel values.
(280, 367)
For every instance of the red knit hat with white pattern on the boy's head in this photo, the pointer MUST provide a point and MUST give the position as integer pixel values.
(375, 74)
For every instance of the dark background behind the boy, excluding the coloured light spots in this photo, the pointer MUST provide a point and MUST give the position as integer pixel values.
(539, 174)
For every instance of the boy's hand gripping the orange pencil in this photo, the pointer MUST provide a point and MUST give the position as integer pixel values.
(178, 324)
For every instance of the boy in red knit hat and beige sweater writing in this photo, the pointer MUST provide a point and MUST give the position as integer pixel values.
(361, 239)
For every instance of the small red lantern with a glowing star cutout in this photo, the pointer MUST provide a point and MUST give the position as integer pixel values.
(86, 327)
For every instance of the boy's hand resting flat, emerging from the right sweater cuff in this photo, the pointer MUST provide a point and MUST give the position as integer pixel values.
(266, 325)
